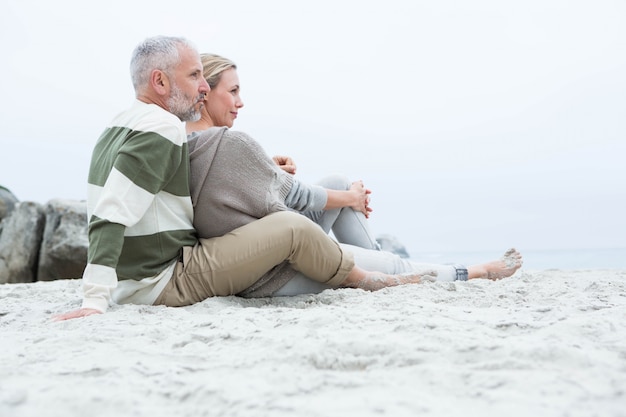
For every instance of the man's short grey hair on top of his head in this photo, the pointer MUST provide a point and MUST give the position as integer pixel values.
(158, 52)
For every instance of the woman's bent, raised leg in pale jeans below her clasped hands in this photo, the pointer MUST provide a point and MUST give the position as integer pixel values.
(348, 226)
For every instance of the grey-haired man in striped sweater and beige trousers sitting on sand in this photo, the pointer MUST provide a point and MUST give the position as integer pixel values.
(142, 245)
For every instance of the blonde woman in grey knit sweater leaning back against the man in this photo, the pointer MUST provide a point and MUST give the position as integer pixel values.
(233, 182)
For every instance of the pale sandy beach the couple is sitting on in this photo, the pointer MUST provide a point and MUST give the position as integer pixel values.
(543, 343)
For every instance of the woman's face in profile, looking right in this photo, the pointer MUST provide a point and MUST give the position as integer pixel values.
(223, 101)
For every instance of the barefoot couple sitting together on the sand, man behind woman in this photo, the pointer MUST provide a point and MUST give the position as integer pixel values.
(174, 220)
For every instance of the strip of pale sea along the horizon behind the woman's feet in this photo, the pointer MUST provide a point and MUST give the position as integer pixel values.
(563, 259)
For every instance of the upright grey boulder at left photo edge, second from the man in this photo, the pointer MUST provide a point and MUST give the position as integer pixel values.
(21, 237)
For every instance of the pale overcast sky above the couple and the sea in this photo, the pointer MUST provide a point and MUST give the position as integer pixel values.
(477, 125)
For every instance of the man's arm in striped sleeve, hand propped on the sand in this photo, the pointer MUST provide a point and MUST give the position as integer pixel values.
(119, 203)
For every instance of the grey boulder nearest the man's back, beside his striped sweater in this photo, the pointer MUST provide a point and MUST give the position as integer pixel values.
(63, 252)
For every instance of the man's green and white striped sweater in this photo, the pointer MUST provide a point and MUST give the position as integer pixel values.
(139, 207)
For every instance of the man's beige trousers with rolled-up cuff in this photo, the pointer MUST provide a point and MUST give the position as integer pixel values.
(229, 264)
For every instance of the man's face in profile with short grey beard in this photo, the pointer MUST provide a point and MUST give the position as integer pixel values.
(187, 87)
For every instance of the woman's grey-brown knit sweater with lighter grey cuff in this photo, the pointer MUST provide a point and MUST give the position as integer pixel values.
(234, 182)
